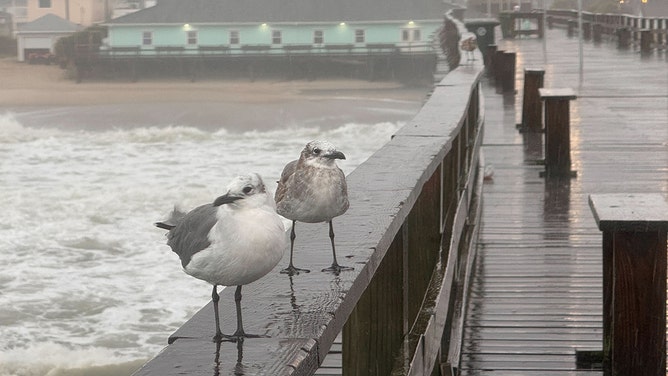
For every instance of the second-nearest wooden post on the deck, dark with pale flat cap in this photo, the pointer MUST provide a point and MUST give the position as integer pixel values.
(557, 131)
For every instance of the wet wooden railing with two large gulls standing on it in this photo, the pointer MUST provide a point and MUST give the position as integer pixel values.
(409, 233)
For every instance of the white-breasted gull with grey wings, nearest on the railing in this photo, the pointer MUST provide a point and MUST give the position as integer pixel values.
(233, 241)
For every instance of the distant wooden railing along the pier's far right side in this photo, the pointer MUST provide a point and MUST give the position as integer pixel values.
(647, 32)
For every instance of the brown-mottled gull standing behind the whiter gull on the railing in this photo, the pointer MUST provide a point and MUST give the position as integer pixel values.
(313, 189)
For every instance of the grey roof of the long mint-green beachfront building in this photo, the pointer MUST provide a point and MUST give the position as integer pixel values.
(284, 11)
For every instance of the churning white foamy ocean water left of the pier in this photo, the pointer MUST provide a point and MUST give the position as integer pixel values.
(88, 286)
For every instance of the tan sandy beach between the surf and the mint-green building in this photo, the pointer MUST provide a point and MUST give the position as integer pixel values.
(234, 103)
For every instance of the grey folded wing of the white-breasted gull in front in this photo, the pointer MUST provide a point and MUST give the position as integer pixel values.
(190, 232)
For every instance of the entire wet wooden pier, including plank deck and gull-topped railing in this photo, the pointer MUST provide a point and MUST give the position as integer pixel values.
(528, 301)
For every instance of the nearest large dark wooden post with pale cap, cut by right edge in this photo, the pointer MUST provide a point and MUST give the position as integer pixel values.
(634, 281)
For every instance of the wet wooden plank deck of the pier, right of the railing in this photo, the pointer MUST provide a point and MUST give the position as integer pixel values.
(536, 294)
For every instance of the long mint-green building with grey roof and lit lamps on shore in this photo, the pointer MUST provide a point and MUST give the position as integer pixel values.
(371, 34)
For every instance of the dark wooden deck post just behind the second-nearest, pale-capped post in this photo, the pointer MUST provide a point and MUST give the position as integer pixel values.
(532, 106)
